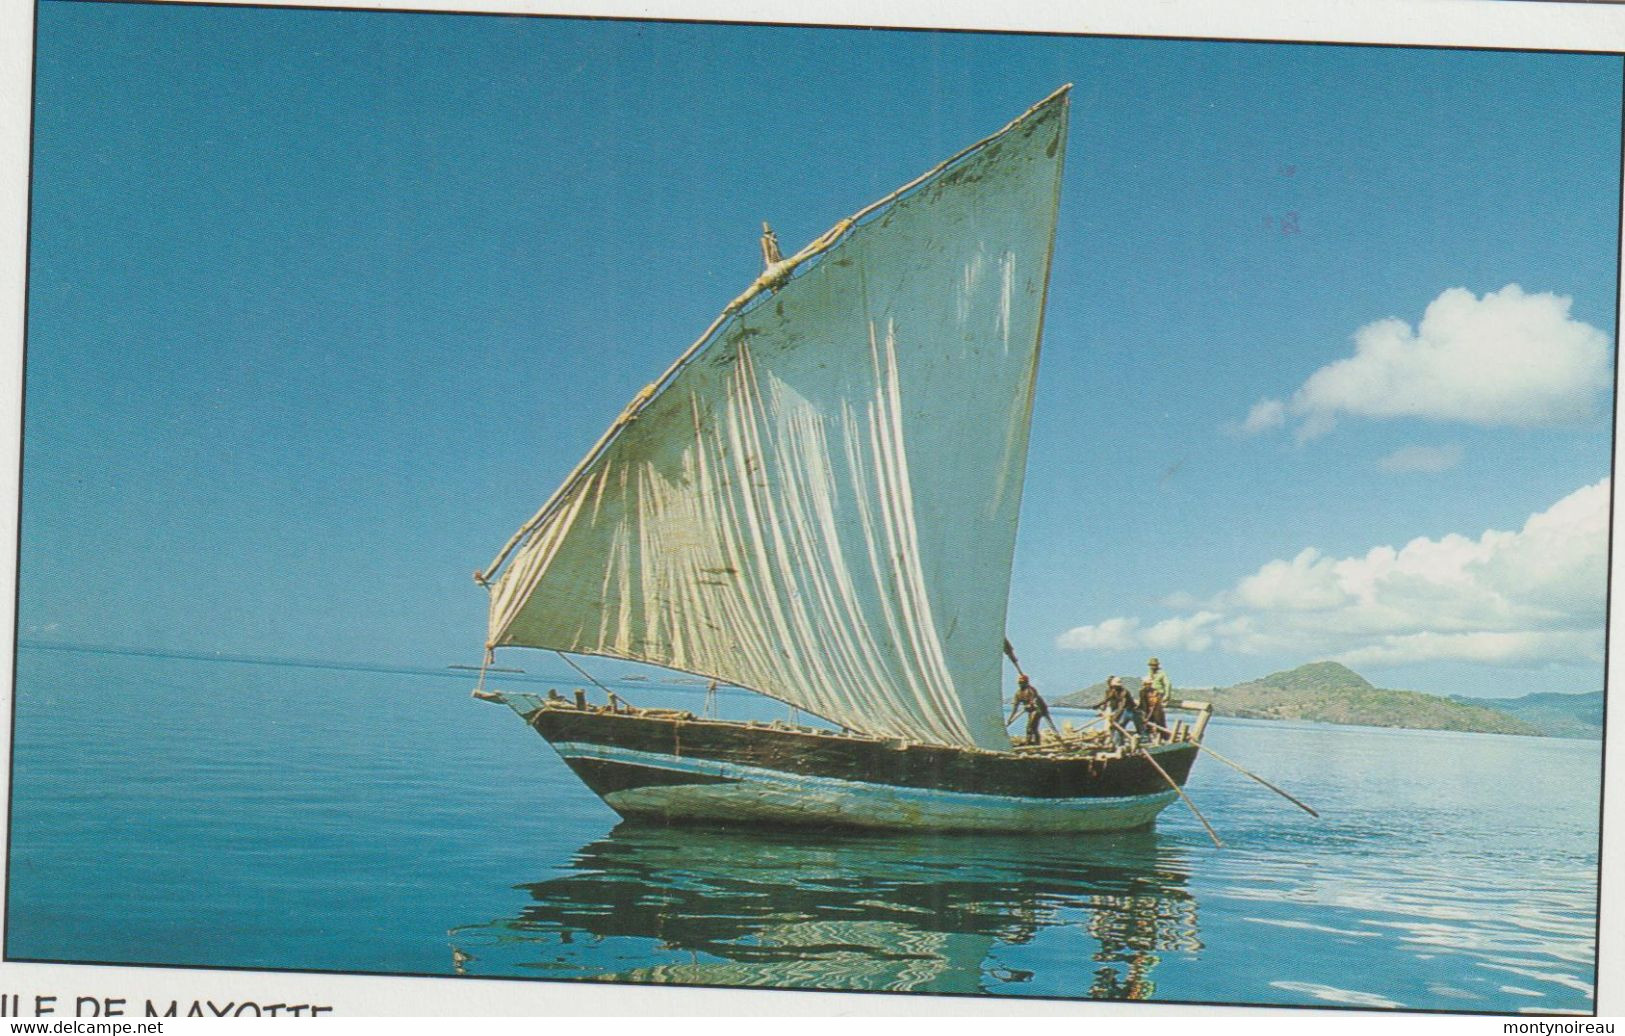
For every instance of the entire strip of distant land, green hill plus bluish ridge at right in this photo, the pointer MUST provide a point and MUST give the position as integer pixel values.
(1330, 693)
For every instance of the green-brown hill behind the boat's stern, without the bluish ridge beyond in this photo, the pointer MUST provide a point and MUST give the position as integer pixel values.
(1330, 693)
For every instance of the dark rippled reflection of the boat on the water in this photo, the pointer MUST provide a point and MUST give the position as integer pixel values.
(852, 912)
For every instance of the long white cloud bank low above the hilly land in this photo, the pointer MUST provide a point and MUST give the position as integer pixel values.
(1525, 597)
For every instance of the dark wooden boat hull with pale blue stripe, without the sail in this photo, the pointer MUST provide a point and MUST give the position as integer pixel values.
(672, 769)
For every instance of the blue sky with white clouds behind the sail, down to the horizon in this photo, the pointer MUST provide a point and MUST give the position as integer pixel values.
(323, 306)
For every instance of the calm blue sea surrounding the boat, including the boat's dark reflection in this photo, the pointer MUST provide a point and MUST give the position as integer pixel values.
(233, 814)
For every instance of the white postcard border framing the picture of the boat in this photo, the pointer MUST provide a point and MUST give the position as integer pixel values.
(1458, 24)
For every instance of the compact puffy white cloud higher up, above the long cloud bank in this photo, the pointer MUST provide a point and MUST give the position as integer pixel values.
(1510, 358)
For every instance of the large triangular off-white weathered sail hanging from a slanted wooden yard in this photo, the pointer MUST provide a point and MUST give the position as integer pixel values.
(820, 499)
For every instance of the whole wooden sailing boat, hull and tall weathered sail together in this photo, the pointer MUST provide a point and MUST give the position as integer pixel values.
(818, 503)
